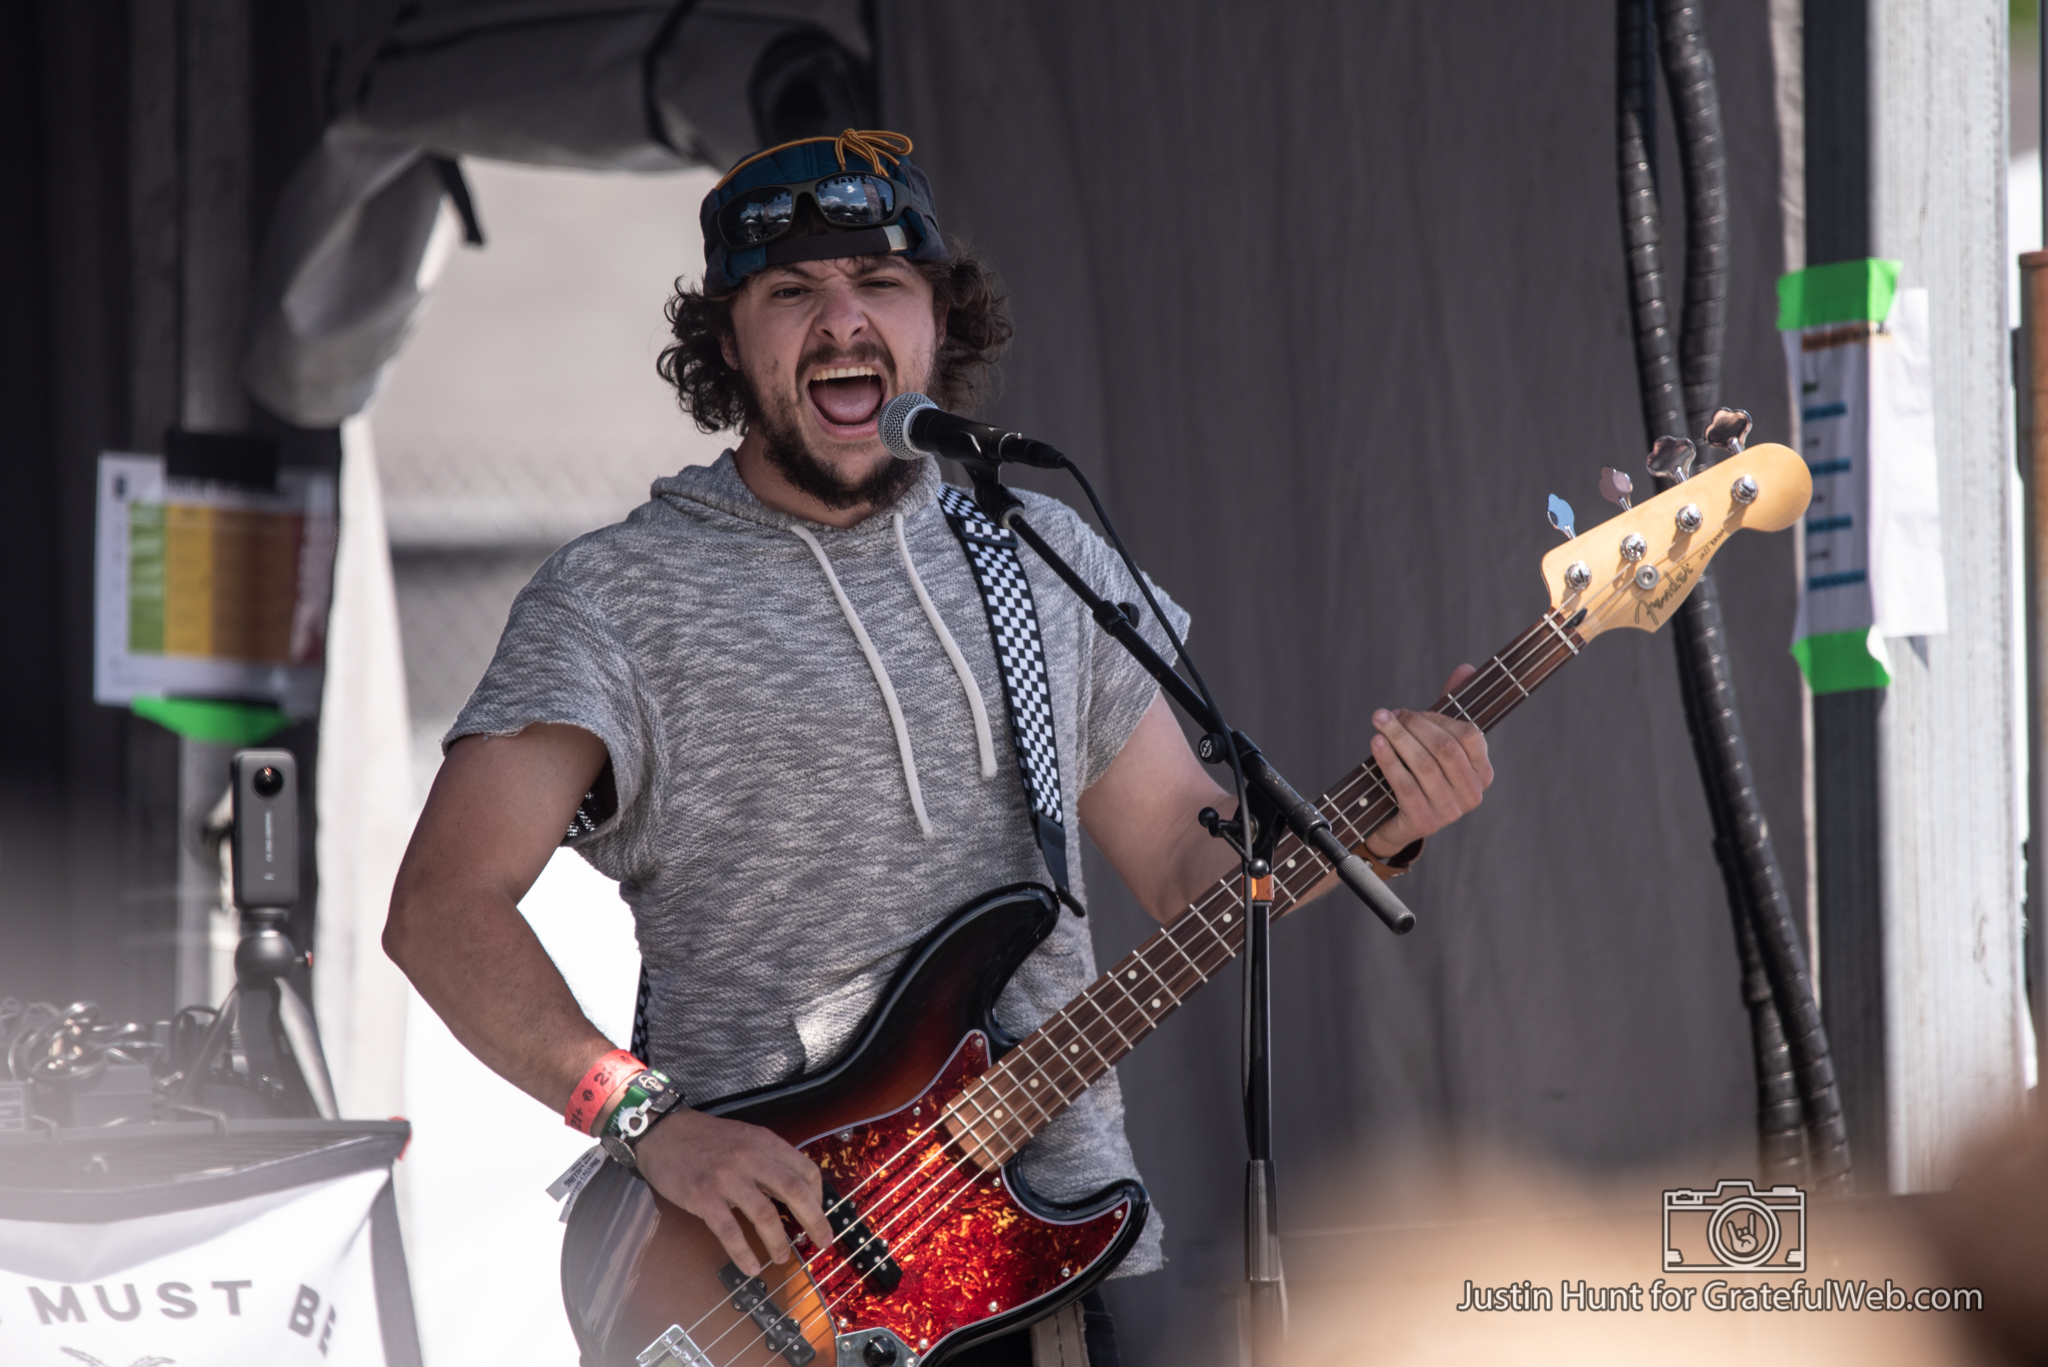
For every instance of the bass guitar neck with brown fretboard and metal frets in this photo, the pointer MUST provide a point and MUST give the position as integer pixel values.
(1089, 1036)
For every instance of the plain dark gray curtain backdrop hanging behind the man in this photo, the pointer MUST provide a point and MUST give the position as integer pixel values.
(1330, 298)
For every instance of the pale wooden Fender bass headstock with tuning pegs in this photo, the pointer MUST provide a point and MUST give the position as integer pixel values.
(1635, 569)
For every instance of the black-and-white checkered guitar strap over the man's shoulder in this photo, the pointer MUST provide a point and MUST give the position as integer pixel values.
(992, 554)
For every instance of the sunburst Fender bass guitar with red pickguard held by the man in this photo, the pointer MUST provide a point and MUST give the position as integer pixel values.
(916, 1128)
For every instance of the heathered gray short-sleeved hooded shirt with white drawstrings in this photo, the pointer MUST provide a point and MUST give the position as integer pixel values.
(814, 770)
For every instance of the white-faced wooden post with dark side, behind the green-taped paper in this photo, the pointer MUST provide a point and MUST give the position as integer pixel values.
(1918, 786)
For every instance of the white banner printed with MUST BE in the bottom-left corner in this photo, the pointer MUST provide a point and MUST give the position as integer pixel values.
(269, 1282)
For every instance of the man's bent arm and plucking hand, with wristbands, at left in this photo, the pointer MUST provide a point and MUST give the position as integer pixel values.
(490, 825)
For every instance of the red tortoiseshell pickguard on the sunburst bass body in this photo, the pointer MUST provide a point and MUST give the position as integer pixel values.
(968, 1249)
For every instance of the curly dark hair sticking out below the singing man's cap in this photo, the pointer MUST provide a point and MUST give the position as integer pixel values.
(974, 333)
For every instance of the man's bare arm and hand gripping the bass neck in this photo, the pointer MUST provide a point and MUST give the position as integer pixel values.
(1142, 811)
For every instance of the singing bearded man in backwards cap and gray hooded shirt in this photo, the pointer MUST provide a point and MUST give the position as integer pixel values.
(769, 706)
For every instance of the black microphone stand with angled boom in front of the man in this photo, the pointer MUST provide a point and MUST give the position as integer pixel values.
(1273, 802)
